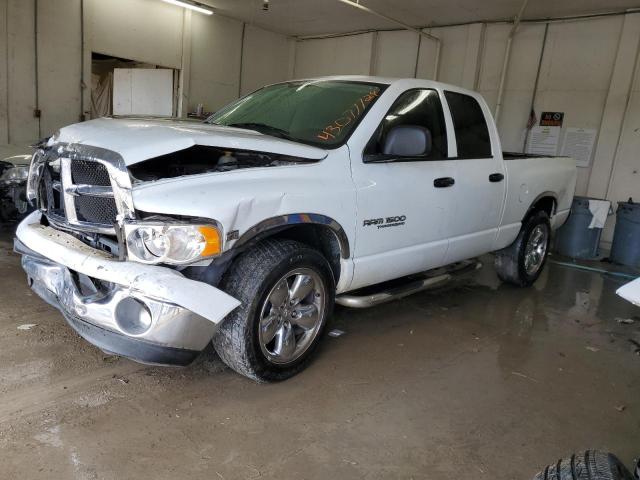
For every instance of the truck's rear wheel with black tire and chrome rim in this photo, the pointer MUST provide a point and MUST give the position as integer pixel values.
(511, 262)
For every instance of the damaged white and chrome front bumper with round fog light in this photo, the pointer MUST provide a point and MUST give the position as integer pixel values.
(148, 313)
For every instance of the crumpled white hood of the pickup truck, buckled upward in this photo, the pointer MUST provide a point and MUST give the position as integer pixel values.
(139, 139)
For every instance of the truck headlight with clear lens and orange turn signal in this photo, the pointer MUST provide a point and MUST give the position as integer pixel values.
(175, 244)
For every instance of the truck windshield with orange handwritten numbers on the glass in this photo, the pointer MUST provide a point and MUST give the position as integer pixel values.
(319, 112)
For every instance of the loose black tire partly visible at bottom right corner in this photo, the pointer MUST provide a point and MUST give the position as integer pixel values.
(588, 465)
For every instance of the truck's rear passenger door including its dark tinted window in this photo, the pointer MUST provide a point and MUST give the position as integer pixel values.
(479, 176)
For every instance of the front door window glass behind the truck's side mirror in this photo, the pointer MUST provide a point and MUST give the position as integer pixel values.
(419, 107)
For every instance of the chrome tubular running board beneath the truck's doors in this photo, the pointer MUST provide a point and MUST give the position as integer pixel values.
(431, 279)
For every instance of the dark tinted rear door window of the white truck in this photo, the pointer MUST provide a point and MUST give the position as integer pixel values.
(472, 134)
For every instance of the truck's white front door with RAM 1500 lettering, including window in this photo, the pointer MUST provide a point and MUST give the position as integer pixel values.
(404, 204)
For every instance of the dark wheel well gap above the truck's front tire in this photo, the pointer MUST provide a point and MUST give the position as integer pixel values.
(320, 237)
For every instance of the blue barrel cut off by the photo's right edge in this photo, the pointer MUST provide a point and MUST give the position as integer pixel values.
(625, 248)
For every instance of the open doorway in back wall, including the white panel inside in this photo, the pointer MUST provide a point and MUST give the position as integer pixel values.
(121, 86)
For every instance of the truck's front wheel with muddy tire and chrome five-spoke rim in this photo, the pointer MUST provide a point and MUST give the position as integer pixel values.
(255, 278)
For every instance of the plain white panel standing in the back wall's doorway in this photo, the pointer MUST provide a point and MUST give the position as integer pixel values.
(143, 91)
